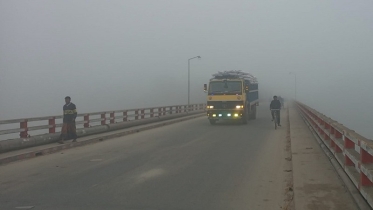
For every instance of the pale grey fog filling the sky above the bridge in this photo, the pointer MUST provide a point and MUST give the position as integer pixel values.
(126, 54)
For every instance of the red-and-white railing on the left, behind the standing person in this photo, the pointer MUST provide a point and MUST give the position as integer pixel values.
(49, 124)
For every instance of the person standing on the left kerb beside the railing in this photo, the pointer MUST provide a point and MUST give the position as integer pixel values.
(68, 130)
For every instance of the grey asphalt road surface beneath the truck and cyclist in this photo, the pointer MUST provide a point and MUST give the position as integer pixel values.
(187, 165)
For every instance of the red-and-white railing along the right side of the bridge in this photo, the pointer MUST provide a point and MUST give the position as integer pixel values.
(353, 151)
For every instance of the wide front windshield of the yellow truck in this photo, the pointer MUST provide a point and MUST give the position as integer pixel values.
(225, 88)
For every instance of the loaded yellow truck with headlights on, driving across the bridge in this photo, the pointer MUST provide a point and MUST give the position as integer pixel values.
(232, 95)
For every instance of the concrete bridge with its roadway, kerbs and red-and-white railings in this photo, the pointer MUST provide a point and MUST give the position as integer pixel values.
(172, 158)
